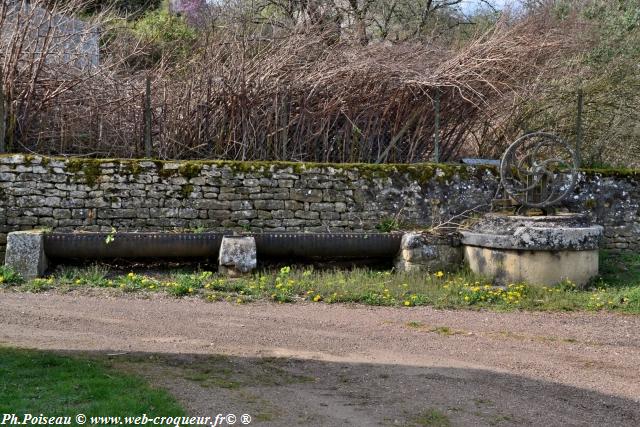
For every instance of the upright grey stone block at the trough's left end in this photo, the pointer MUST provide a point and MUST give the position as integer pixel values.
(25, 253)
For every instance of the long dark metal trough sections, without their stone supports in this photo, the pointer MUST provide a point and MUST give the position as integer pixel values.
(207, 245)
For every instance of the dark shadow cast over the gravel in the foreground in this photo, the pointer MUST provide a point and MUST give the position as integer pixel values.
(287, 392)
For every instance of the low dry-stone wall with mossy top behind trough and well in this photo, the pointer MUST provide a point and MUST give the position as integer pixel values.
(131, 195)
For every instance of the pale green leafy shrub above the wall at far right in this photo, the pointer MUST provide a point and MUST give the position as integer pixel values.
(605, 69)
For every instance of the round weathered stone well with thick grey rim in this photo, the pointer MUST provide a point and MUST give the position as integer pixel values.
(541, 250)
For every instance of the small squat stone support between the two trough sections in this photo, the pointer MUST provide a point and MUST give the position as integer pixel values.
(238, 255)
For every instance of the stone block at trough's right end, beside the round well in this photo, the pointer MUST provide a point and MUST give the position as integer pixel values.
(428, 252)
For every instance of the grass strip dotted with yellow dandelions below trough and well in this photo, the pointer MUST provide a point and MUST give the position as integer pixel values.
(618, 288)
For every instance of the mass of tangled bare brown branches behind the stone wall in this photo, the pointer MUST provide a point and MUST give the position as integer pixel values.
(301, 96)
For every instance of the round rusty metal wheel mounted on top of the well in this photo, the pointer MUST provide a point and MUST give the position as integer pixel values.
(539, 170)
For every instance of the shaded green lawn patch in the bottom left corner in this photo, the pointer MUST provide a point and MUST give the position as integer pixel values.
(39, 382)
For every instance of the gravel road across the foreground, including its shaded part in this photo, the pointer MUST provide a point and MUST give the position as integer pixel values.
(319, 364)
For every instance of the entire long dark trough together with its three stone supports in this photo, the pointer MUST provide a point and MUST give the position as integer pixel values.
(29, 252)
